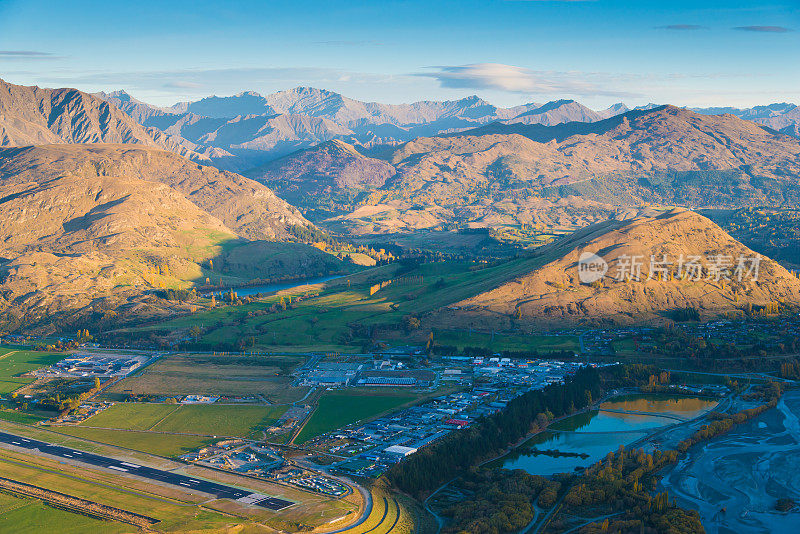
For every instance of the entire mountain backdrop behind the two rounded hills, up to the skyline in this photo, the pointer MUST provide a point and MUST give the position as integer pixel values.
(369, 168)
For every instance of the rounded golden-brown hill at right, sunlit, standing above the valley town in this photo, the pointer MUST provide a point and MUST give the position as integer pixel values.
(555, 292)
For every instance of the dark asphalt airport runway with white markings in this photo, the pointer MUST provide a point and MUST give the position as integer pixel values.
(182, 481)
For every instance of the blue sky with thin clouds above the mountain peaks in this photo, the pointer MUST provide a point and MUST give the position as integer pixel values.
(694, 53)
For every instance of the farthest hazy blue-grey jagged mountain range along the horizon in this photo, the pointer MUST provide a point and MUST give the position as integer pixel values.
(249, 129)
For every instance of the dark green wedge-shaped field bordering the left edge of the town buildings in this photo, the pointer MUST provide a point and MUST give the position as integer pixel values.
(339, 408)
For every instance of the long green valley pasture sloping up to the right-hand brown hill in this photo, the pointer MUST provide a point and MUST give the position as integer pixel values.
(322, 321)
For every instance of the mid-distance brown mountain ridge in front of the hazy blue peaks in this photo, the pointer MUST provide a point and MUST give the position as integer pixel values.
(567, 175)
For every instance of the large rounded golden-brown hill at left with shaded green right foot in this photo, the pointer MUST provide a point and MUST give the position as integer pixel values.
(94, 229)
